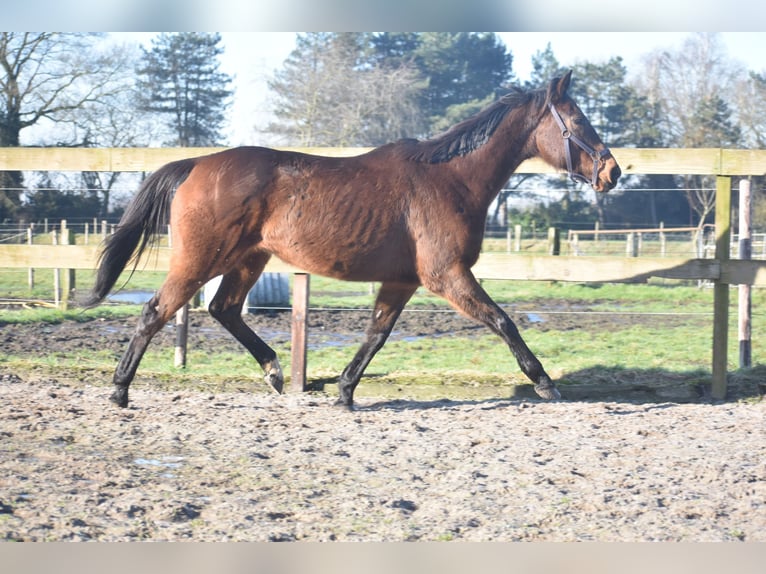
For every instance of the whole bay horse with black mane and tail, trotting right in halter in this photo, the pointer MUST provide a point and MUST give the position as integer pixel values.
(405, 214)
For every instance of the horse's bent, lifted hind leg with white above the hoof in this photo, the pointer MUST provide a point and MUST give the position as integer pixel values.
(226, 307)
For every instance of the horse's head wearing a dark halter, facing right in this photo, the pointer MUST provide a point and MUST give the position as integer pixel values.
(566, 140)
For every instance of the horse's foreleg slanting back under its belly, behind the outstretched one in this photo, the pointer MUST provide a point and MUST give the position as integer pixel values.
(389, 303)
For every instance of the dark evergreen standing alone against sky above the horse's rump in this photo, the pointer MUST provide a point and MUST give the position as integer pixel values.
(180, 79)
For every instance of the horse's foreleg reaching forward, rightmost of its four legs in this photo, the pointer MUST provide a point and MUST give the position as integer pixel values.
(462, 290)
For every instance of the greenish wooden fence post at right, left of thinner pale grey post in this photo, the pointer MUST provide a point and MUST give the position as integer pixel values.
(721, 290)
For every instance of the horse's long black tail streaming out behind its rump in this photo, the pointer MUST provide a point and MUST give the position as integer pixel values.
(142, 221)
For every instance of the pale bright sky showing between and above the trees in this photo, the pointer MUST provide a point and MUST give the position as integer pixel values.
(252, 57)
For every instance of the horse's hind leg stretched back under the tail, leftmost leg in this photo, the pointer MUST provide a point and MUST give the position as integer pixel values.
(173, 294)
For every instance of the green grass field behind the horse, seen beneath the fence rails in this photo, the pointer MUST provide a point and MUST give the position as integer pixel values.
(611, 349)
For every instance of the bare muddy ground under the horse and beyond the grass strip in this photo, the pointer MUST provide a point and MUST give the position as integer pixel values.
(189, 464)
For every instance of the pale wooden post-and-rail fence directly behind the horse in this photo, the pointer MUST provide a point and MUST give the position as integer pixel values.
(724, 164)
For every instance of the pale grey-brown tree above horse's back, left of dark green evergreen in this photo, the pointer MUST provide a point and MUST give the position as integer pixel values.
(331, 91)
